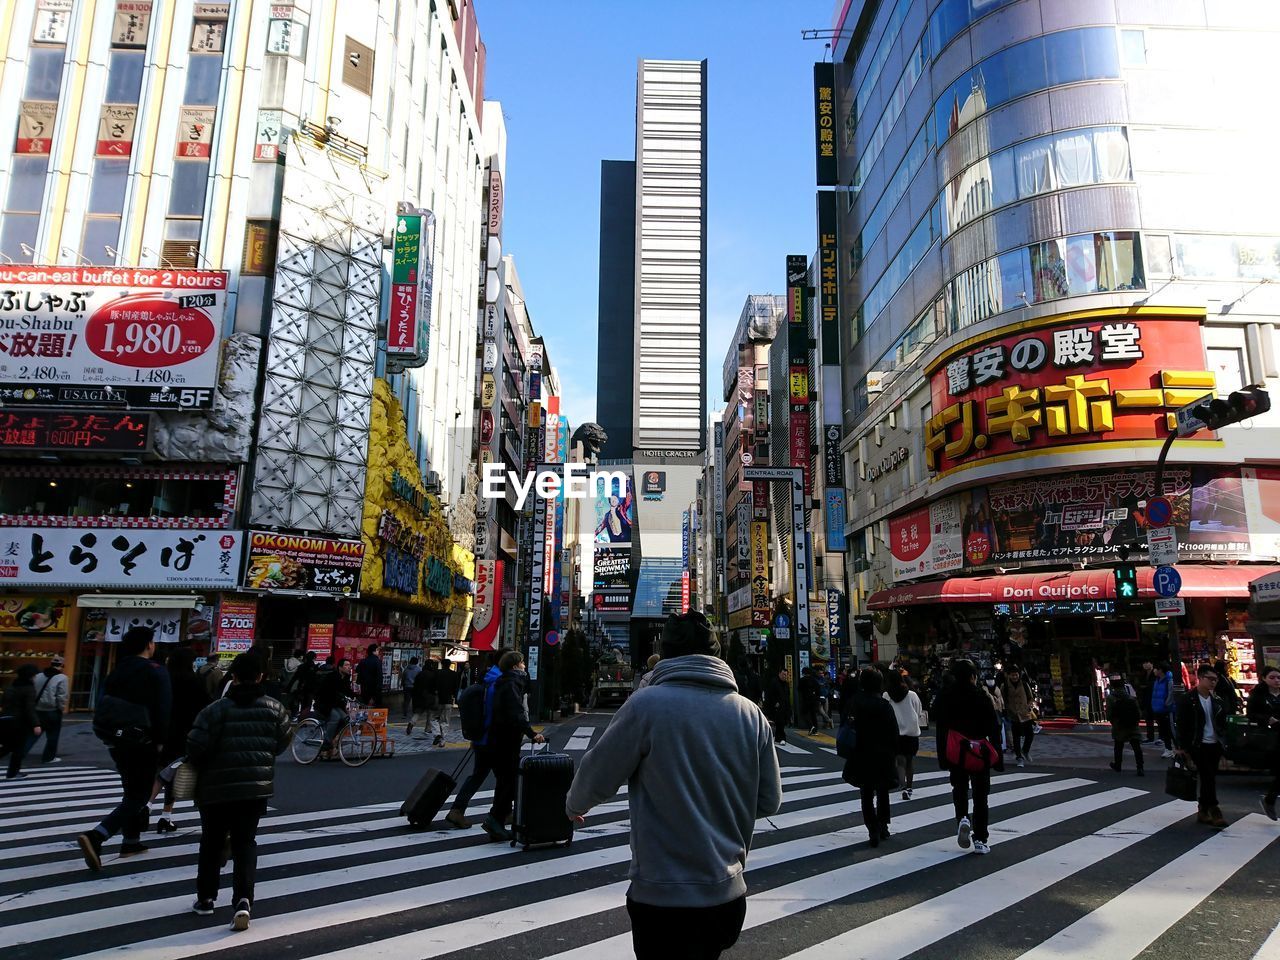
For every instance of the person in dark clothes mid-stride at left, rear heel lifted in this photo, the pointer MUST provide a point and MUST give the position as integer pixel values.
(134, 720)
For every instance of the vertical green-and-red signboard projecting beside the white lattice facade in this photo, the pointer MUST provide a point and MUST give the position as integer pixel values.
(409, 321)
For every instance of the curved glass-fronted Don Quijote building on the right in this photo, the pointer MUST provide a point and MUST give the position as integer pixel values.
(1055, 230)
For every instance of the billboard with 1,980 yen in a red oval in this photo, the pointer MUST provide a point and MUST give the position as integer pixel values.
(111, 337)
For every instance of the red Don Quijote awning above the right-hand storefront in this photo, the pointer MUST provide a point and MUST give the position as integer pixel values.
(1068, 586)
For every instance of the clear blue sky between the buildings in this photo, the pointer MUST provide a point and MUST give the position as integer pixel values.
(566, 77)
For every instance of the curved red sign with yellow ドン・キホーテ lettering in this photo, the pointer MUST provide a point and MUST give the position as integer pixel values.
(1068, 381)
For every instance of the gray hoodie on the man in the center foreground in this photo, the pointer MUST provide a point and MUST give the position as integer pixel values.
(701, 770)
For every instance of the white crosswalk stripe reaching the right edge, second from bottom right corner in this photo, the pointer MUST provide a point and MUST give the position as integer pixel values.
(1133, 921)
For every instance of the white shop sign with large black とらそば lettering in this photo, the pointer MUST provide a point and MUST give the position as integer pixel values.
(115, 559)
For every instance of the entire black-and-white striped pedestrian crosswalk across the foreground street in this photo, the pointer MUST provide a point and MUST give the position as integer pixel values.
(354, 884)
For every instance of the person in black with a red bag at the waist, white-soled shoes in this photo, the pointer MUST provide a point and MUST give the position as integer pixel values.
(968, 732)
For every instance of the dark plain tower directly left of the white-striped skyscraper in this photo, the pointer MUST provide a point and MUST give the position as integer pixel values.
(615, 367)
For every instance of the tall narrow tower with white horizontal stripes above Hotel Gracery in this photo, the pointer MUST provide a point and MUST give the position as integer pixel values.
(670, 385)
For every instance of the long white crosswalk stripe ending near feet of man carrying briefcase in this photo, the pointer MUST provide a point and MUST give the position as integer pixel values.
(917, 927)
